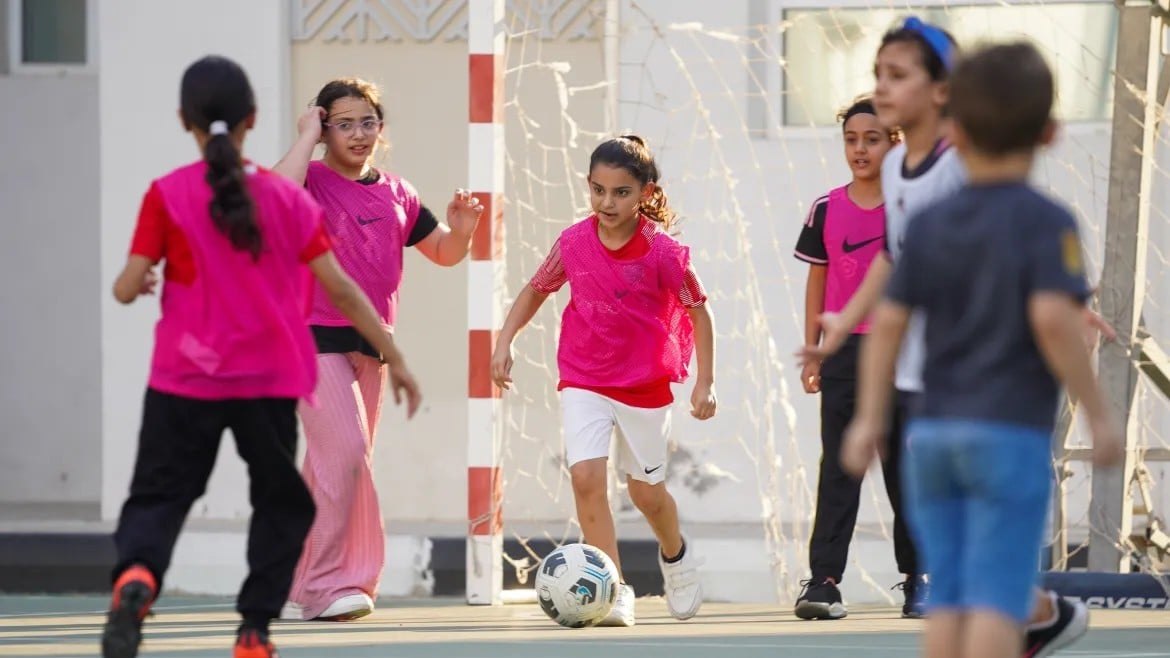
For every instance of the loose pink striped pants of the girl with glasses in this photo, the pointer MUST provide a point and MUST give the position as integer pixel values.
(345, 553)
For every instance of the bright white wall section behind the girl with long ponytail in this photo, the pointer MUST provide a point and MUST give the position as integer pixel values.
(146, 46)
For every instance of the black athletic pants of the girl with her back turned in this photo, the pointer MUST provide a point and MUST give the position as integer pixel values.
(177, 450)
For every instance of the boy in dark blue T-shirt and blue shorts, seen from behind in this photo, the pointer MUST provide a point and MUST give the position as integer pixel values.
(997, 269)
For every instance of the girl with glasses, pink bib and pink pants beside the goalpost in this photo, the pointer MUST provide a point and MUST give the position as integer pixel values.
(371, 217)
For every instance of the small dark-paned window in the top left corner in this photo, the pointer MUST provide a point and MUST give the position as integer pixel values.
(51, 36)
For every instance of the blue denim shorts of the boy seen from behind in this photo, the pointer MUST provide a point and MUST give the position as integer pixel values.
(978, 499)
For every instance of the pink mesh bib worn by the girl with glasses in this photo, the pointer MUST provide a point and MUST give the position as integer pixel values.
(369, 227)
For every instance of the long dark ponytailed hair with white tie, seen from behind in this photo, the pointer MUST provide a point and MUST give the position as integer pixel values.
(216, 90)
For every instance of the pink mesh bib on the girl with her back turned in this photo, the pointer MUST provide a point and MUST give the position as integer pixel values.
(238, 330)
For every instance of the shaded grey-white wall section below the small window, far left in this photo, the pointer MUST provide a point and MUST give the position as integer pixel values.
(51, 353)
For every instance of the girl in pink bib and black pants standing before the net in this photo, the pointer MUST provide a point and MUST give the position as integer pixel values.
(843, 236)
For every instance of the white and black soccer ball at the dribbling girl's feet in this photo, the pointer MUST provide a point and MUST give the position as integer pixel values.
(577, 586)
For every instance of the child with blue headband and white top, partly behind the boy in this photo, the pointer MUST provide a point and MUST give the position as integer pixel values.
(911, 72)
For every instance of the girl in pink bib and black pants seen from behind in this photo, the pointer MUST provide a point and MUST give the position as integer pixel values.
(232, 352)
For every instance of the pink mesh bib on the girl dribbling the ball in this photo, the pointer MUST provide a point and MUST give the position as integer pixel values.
(625, 325)
